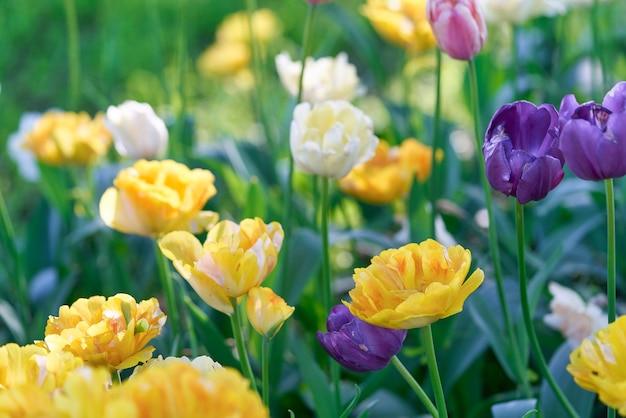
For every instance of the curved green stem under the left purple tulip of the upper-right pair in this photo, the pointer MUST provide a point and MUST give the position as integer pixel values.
(528, 322)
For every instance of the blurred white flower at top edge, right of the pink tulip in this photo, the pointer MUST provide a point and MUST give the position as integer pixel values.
(518, 11)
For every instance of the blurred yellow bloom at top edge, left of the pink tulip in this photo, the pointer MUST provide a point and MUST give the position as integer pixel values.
(401, 22)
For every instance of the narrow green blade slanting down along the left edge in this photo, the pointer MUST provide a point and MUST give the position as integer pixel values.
(8, 235)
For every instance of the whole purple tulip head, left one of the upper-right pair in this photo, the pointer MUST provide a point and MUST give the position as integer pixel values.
(521, 152)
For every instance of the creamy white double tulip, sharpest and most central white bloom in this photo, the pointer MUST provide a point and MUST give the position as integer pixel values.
(330, 138)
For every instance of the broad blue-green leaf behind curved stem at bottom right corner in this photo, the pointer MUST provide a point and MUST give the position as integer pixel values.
(581, 400)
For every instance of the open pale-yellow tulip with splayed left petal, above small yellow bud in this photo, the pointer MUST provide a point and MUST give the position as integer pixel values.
(233, 259)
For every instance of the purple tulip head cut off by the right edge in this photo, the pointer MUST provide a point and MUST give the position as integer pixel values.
(593, 136)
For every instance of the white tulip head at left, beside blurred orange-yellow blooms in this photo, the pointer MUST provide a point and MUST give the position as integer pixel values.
(137, 131)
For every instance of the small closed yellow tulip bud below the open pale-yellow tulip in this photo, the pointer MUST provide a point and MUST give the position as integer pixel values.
(267, 312)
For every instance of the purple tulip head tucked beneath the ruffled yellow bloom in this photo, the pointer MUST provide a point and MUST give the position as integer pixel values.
(357, 345)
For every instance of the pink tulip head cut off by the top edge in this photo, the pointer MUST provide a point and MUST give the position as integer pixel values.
(459, 27)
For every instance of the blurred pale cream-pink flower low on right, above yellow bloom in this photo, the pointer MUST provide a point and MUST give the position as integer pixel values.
(570, 315)
